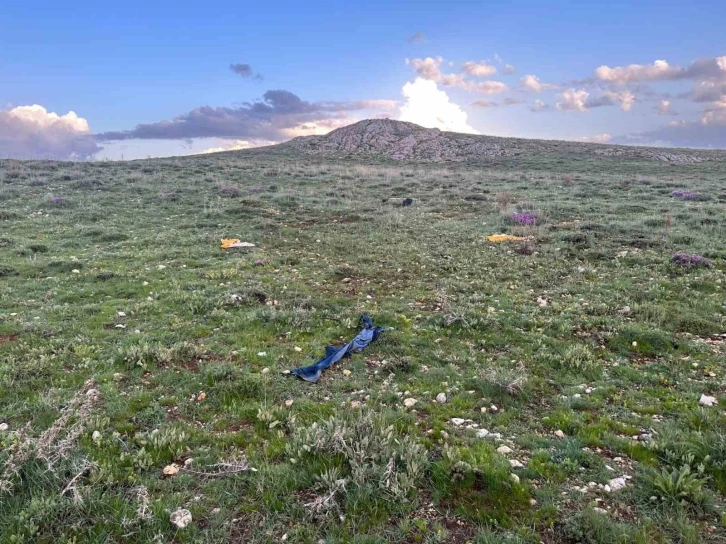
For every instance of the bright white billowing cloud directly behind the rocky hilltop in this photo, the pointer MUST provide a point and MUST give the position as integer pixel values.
(430, 107)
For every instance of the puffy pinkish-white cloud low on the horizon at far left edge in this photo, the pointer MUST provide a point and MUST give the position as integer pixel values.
(32, 132)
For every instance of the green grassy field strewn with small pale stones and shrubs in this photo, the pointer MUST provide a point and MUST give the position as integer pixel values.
(576, 358)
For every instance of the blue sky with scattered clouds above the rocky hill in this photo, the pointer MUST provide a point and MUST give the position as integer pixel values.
(108, 81)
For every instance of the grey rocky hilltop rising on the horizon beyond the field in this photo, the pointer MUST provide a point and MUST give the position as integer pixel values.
(399, 140)
